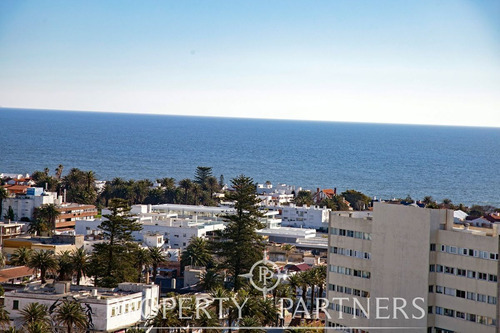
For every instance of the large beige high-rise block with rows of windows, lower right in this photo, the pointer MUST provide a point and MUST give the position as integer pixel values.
(403, 254)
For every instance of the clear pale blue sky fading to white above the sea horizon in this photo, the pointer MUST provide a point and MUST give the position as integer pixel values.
(416, 62)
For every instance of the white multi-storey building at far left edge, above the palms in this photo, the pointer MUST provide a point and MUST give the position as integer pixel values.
(24, 205)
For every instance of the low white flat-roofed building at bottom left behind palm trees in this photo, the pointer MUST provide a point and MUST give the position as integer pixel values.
(110, 309)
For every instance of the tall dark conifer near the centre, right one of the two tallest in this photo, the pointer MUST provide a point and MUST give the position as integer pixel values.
(240, 246)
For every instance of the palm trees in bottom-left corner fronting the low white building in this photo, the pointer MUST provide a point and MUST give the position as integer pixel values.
(37, 318)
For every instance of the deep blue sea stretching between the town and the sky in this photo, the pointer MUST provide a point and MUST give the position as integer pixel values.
(383, 160)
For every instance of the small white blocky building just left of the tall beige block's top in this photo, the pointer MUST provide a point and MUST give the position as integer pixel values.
(314, 217)
